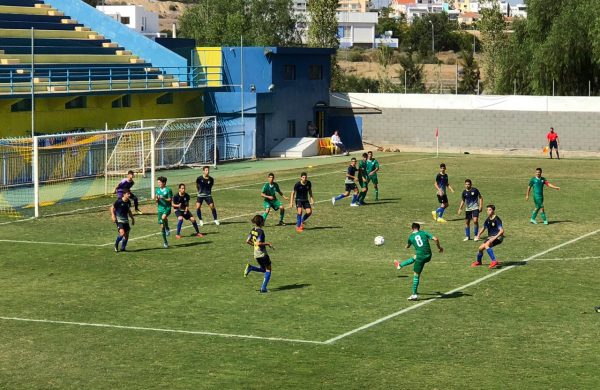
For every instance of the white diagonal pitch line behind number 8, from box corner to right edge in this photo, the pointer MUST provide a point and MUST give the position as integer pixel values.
(473, 283)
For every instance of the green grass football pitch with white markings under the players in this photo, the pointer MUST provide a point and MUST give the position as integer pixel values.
(74, 314)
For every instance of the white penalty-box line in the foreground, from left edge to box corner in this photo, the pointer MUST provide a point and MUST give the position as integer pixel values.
(193, 332)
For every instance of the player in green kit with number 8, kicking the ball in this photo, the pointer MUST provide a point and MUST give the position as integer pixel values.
(420, 240)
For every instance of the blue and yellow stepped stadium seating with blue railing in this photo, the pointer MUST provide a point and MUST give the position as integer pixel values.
(68, 56)
